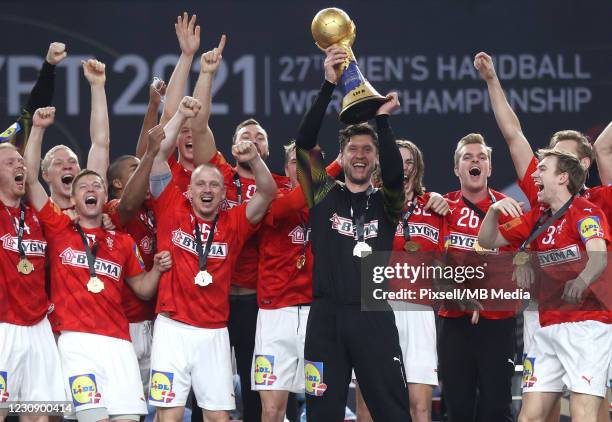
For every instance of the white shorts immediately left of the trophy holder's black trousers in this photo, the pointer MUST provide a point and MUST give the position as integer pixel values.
(278, 359)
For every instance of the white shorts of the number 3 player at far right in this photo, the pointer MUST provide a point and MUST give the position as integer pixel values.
(575, 355)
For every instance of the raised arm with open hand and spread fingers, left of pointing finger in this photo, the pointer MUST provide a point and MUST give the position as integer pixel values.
(188, 35)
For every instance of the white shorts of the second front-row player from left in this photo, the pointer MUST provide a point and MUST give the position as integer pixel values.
(101, 372)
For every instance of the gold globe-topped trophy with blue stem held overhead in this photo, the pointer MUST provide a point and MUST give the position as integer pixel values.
(360, 101)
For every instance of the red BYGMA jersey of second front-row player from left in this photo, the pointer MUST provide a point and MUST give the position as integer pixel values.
(117, 258)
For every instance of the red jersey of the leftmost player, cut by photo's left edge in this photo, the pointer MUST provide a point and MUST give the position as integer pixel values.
(23, 298)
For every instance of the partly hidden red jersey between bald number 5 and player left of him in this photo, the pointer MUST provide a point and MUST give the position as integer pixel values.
(142, 230)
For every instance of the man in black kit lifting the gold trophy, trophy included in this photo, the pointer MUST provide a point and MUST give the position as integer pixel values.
(339, 336)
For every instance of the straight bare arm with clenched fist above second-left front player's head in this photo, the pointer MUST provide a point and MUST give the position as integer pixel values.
(99, 131)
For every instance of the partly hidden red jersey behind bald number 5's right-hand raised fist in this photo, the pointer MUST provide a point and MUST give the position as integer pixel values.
(245, 274)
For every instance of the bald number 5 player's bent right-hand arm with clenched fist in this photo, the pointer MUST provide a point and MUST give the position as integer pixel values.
(245, 152)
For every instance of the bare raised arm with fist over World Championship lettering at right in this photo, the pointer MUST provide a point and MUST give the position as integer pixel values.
(507, 121)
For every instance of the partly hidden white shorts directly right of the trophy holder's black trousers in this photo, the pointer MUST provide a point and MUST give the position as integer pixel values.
(416, 326)
